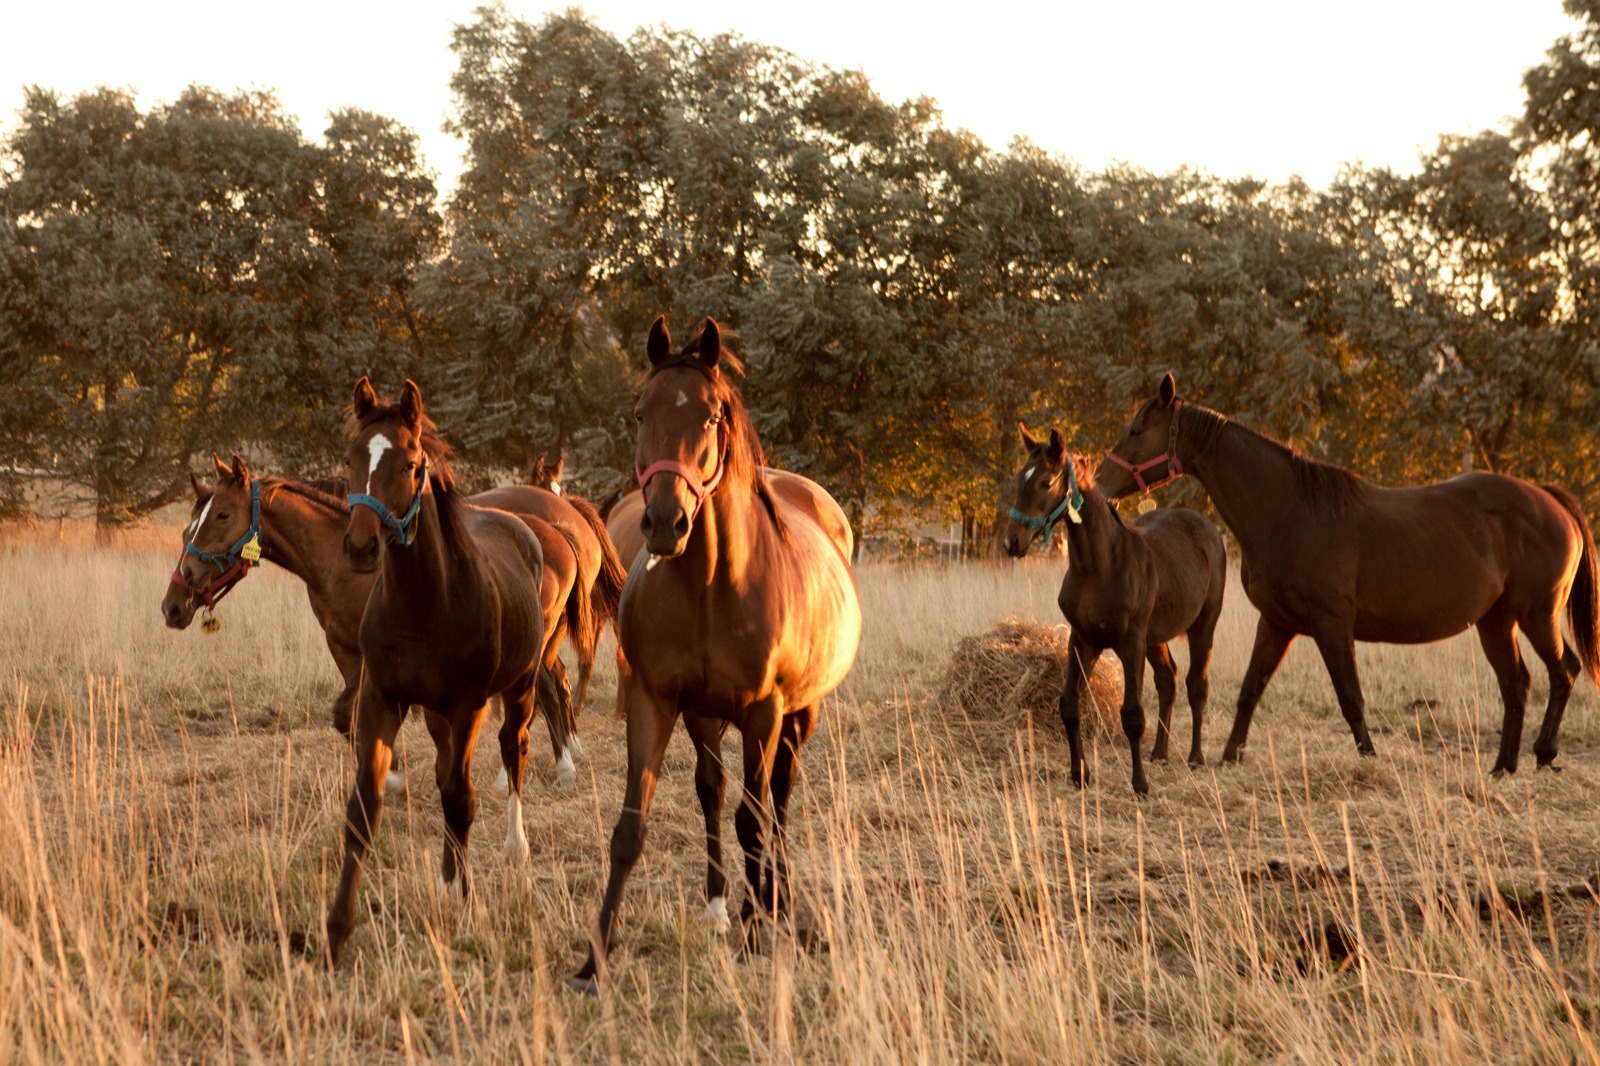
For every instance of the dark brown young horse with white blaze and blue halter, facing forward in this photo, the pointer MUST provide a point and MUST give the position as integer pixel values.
(454, 620)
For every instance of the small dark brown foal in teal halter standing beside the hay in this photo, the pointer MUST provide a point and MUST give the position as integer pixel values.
(1129, 588)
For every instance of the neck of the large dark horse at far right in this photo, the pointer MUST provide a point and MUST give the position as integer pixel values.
(1252, 483)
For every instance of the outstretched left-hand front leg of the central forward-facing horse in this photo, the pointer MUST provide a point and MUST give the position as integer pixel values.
(650, 724)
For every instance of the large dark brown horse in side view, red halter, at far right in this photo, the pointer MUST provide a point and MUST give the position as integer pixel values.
(1340, 559)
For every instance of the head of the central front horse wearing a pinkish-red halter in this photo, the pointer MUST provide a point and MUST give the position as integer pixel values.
(686, 436)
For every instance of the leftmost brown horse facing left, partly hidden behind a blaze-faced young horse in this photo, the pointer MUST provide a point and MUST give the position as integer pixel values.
(298, 526)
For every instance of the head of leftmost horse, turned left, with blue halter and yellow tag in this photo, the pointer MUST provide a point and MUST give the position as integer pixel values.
(222, 526)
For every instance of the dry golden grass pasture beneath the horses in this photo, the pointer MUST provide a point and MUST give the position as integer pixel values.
(170, 828)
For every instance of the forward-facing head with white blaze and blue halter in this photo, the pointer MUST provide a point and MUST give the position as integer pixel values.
(388, 460)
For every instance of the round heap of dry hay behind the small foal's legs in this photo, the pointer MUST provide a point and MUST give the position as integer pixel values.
(1017, 670)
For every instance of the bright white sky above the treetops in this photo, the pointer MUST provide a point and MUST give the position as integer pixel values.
(1241, 87)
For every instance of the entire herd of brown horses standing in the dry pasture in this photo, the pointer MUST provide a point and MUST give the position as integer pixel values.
(738, 606)
